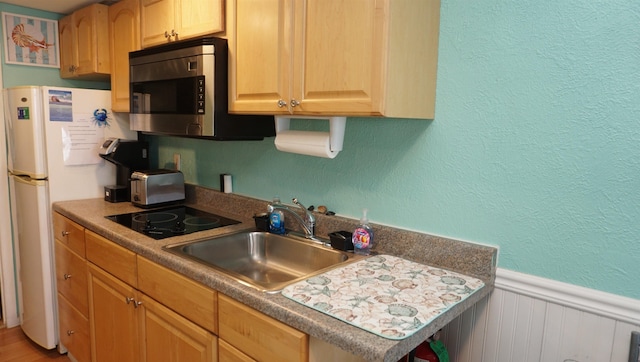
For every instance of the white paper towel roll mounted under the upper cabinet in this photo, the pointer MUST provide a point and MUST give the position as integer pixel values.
(310, 143)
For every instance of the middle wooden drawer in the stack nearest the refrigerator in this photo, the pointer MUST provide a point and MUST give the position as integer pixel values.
(71, 277)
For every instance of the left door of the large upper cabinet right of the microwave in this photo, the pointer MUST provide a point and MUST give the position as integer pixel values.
(260, 42)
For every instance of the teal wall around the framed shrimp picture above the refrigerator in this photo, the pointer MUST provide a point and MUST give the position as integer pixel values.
(14, 75)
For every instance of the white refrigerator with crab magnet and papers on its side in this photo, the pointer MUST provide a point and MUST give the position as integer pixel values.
(53, 135)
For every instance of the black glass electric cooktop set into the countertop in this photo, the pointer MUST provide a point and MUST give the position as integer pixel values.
(171, 221)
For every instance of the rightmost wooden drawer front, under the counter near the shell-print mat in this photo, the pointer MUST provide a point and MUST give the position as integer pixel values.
(259, 336)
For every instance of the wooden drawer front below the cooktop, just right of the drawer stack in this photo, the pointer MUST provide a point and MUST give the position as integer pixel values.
(112, 257)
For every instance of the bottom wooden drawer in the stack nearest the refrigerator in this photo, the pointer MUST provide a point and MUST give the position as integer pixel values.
(74, 330)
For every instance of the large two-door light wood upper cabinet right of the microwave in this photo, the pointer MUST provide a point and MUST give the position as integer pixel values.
(333, 57)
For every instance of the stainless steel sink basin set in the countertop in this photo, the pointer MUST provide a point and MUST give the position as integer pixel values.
(262, 260)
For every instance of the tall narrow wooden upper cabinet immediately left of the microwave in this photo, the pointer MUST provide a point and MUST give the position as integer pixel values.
(124, 37)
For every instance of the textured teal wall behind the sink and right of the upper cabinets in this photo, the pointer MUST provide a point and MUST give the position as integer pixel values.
(535, 146)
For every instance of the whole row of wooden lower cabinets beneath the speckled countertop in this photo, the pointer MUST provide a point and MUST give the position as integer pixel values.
(139, 310)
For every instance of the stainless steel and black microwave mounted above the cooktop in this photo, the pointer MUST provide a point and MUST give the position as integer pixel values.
(181, 89)
